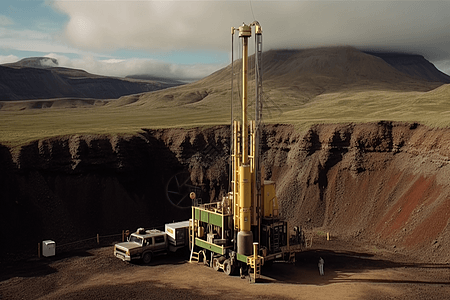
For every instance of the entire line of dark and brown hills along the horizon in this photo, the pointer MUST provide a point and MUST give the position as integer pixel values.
(290, 77)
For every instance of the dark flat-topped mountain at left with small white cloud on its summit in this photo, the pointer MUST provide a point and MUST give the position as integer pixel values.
(42, 78)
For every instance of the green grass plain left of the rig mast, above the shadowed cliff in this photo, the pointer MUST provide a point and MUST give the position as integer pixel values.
(20, 127)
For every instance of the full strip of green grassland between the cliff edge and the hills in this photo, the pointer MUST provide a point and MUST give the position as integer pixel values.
(430, 108)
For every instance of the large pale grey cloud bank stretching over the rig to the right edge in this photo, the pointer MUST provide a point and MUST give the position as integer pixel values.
(415, 26)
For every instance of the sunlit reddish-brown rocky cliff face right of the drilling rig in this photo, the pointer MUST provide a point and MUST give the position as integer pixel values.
(385, 182)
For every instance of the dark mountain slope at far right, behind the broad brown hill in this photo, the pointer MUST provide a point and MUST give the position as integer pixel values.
(415, 66)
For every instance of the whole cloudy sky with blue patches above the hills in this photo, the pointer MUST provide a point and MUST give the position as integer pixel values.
(188, 40)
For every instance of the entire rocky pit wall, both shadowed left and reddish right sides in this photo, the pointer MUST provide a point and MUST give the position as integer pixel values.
(385, 183)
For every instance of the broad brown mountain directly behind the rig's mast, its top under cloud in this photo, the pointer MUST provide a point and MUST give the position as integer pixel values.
(292, 77)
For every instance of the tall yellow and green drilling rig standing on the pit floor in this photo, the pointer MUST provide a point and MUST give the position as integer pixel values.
(244, 230)
